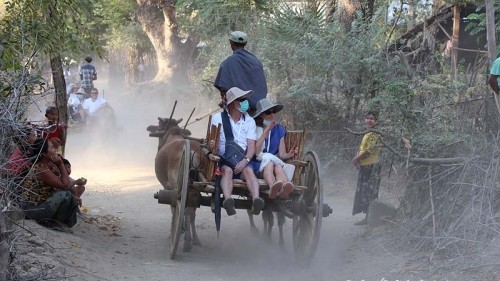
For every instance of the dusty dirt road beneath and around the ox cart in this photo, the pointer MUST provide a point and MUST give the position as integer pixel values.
(124, 234)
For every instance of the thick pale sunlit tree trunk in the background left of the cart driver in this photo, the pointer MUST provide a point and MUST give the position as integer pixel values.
(158, 20)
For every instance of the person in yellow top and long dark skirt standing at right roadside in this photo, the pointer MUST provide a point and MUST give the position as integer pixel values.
(366, 160)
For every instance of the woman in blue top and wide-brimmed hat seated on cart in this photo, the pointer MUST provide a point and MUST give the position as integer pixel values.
(270, 149)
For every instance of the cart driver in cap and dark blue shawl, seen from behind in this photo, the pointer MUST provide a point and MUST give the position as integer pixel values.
(242, 69)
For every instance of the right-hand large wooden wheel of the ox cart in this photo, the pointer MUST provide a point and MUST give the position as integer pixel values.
(307, 225)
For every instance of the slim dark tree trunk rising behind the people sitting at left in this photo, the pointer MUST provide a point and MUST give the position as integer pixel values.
(60, 93)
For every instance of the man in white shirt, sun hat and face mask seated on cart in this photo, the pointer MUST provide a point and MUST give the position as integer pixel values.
(243, 129)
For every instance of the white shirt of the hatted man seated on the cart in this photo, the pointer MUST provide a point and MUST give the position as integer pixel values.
(243, 130)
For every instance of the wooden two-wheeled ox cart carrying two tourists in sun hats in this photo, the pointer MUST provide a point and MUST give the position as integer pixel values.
(197, 185)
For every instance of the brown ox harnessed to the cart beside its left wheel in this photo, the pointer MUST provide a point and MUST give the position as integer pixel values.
(167, 161)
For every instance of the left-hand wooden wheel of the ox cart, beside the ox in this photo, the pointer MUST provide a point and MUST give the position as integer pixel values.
(178, 209)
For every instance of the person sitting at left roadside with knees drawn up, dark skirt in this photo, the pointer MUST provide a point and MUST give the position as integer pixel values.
(46, 196)
